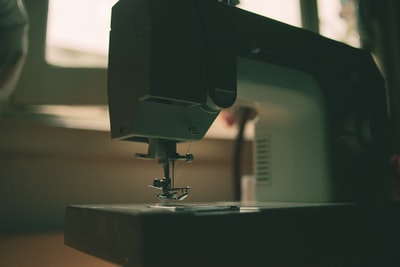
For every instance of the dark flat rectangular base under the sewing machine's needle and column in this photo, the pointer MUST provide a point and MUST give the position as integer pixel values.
(237, 234)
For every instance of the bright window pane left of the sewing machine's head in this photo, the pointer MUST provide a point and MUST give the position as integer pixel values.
(77, 32)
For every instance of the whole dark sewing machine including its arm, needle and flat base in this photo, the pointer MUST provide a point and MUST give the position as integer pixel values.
(319, 144)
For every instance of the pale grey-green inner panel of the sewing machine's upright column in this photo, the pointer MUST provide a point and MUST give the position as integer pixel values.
(291, 146)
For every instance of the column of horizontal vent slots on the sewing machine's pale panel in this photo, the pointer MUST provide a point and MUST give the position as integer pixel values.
(263, 159)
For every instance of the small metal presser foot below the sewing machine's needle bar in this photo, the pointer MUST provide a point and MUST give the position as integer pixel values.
(168, 192)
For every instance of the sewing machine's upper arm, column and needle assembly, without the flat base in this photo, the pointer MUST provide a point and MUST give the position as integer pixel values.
(321, 105)
